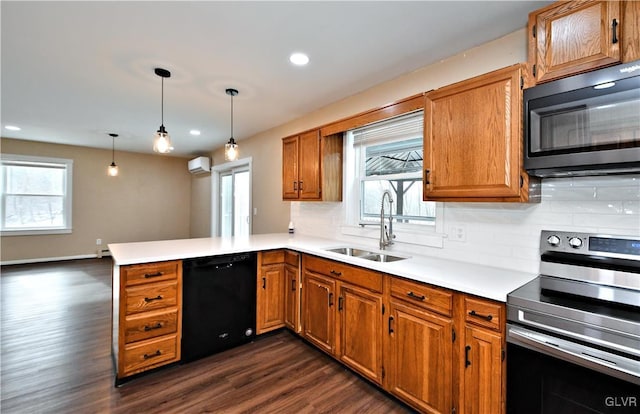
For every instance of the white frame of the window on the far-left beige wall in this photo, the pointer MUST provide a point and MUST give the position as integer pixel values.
(67, 227)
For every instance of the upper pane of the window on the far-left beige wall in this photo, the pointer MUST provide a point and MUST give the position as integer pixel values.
(34, 180)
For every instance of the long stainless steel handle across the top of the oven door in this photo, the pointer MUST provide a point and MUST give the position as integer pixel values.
(607, 363)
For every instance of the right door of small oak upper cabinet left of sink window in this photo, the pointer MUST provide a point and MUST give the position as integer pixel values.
(309, 167)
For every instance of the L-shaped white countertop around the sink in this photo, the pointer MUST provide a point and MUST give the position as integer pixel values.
(485, 281)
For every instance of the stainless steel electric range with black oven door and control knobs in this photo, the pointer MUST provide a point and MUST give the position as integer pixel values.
(573, 333)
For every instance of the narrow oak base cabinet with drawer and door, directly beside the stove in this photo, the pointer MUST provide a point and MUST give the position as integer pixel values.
(483, 380)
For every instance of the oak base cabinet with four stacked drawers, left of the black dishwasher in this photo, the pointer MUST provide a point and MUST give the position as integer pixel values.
(147, 307)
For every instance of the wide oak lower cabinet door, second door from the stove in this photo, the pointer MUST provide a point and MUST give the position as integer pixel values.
(421, 358)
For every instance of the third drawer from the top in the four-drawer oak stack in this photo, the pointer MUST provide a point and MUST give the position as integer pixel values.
(149, 325)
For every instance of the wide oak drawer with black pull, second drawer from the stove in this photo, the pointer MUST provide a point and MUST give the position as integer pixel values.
(437, 300)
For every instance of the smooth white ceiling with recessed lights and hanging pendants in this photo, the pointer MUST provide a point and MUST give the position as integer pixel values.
(73, 72)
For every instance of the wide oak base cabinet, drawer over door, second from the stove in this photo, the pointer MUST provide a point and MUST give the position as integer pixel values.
(420, 346)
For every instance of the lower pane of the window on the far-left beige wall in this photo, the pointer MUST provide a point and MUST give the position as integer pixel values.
(34, 211)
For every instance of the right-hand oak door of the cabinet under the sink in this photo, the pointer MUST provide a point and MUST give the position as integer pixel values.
(360, 313)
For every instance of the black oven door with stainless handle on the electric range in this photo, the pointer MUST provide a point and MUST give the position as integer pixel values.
(547, 374)
